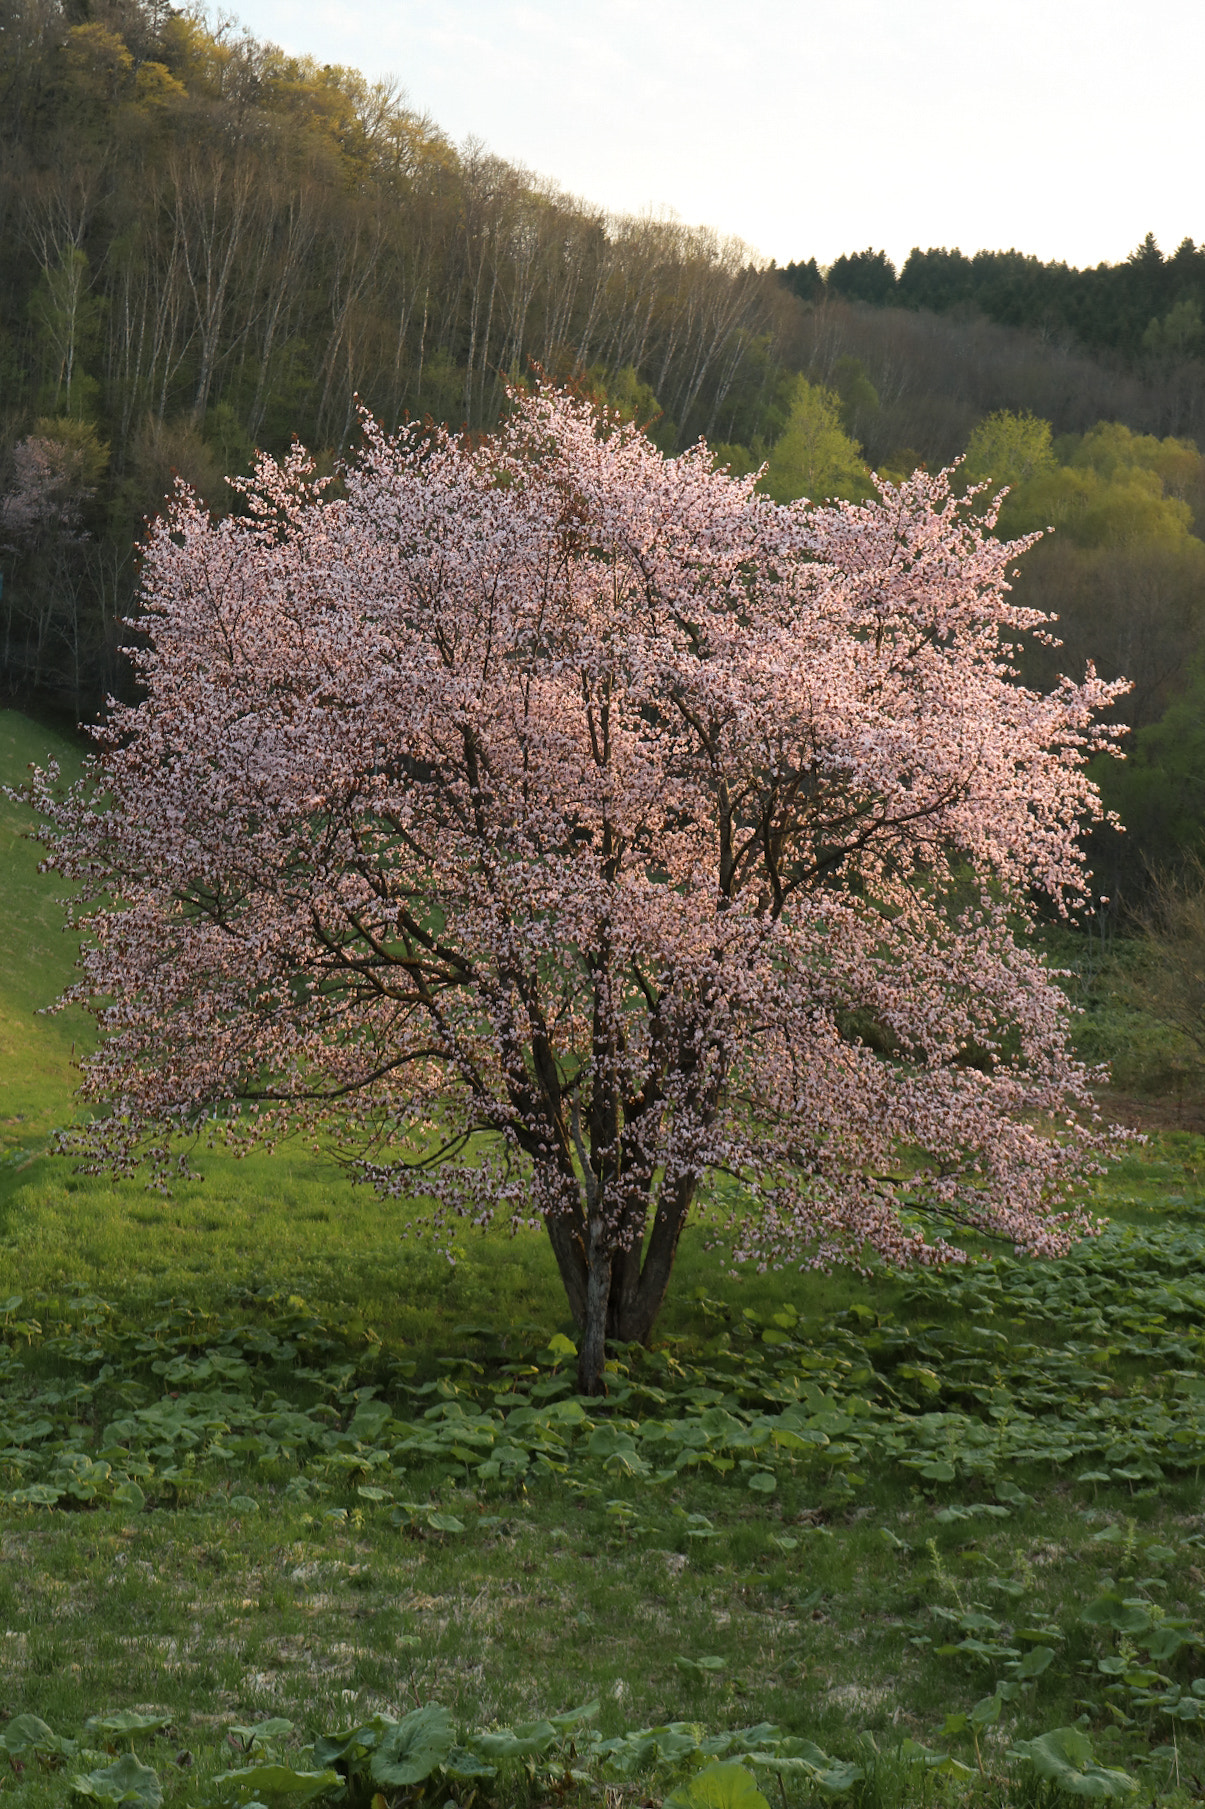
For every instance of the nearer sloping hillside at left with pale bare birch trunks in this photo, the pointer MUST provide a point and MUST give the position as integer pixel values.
(213, 247)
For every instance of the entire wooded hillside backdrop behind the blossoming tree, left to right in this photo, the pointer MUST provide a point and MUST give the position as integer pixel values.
(213, 247)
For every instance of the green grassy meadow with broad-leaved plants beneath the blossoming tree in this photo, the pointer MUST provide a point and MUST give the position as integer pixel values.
(274, 1477)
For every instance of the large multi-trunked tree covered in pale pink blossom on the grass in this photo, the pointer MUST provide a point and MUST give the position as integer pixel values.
(574, 837)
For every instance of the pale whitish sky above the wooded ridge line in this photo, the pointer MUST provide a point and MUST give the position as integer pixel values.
(1061, 128)
